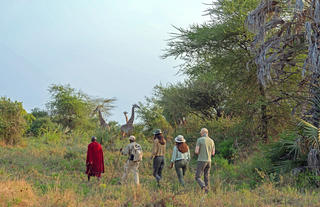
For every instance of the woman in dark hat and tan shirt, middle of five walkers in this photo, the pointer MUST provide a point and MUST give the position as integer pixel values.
(158, 152)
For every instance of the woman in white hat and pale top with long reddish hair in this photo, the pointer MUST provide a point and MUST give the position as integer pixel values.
(180, 157)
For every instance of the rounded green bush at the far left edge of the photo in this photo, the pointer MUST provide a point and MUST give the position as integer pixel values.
(12, 121)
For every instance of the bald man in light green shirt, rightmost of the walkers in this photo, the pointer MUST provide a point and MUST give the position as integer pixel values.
(204, 149)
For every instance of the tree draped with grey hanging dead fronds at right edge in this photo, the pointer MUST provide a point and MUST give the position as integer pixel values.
(287, 44)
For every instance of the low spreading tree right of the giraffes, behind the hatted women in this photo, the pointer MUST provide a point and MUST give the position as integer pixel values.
(202, 97)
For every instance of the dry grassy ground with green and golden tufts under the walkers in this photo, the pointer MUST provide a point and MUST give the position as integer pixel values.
(43, 172)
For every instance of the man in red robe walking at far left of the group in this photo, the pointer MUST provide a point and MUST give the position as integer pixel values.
(95, 163)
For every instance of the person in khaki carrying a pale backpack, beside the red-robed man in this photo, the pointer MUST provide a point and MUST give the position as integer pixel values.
(134, 152)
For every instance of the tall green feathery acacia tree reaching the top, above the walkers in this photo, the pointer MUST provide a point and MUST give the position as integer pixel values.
(220, 49)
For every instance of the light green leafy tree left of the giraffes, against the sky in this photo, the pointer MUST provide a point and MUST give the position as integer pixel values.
(70, 108)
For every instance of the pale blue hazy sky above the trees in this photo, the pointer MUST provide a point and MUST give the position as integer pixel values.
(105, 48)
